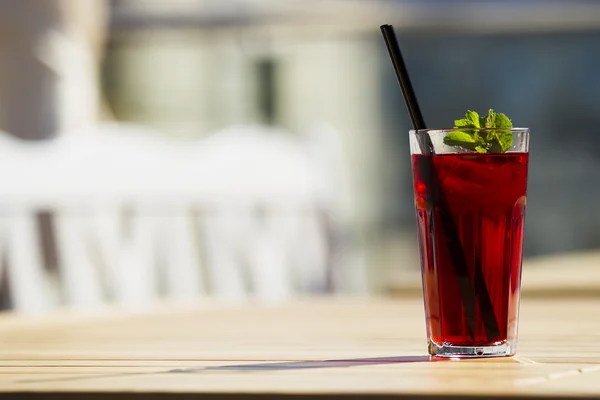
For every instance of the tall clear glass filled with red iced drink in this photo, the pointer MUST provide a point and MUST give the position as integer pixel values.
(470, 213)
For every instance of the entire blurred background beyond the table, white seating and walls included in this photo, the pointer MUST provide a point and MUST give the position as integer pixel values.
(259, 148)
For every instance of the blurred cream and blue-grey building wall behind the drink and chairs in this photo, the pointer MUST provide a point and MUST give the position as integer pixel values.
(204, 64)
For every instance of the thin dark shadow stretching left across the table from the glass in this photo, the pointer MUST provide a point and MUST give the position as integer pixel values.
(289, 365)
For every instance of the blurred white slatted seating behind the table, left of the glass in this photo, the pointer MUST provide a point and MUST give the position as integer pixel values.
(248, 212)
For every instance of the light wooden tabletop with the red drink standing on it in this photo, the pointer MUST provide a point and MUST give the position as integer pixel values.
(327, 348)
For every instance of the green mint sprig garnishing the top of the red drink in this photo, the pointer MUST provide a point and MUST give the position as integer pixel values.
(472, 137)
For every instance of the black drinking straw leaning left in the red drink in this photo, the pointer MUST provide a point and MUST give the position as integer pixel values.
(470, 290)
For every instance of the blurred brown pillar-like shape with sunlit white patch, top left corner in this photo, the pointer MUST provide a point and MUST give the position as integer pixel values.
(50, 53)
